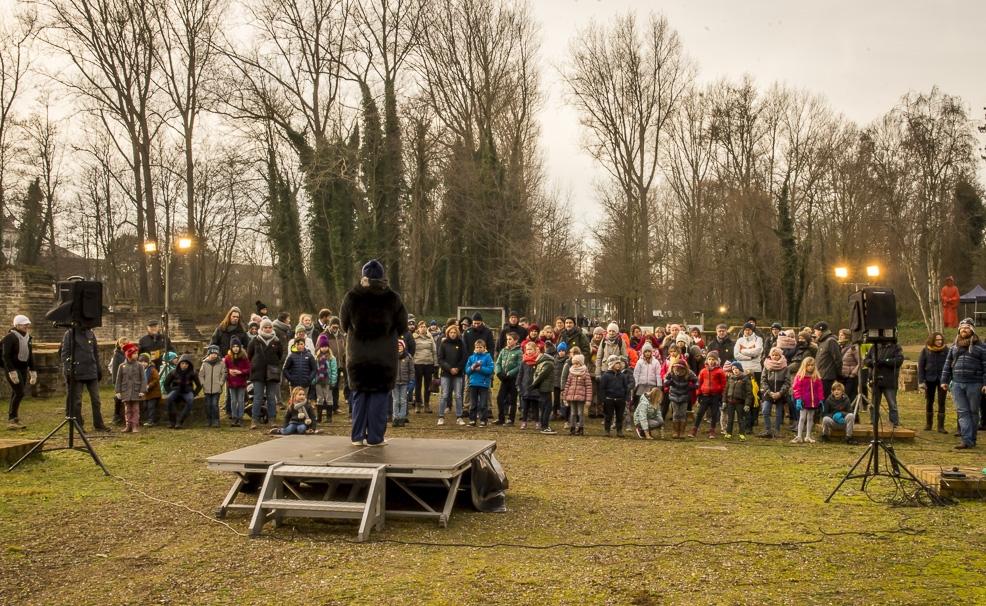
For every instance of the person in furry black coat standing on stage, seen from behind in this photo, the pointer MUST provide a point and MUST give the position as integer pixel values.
(374, 318)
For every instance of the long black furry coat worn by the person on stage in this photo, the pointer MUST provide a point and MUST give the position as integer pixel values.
(373, 318)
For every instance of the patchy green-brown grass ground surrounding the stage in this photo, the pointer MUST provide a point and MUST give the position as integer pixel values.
(700, 521)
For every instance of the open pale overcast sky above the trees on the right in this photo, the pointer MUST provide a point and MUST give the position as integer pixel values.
(861, 55)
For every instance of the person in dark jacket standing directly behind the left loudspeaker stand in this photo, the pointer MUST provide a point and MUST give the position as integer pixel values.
(79, 355)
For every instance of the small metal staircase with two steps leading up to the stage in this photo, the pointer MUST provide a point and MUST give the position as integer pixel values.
(297, 491)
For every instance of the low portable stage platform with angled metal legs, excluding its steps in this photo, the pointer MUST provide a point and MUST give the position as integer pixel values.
(426, 472)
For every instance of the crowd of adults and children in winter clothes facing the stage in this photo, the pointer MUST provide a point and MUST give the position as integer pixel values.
(638, 381)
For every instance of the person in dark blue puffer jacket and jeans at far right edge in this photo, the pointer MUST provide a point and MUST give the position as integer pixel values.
(963, 373)
